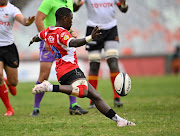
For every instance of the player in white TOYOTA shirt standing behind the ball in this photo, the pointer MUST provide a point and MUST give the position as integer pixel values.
(102, 13)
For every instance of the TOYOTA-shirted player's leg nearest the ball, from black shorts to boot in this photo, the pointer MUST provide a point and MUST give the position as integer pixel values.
(111, 48)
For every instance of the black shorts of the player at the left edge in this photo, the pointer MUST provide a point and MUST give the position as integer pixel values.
(9, 55)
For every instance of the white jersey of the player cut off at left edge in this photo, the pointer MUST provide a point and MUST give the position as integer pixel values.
(7, 18)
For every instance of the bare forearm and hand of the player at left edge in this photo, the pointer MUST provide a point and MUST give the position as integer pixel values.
(25, 21)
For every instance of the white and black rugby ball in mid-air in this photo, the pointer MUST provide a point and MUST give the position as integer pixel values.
(122, 84)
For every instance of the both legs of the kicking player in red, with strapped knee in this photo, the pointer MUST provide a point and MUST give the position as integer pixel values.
(81, 88)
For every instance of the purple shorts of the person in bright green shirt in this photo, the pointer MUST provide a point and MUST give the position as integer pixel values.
(45, 56)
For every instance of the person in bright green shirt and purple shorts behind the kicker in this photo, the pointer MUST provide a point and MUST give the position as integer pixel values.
(46, 17)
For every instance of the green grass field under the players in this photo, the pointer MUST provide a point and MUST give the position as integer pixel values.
(153, 104)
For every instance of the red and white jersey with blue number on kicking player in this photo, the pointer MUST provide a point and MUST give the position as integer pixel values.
(58, 40)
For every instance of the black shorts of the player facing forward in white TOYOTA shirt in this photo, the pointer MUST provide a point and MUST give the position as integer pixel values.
(98, 43)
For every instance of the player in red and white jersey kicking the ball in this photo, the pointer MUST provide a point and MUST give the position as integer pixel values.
(72, 79)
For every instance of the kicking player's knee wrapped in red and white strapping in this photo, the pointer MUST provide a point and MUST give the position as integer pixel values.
(80, 88)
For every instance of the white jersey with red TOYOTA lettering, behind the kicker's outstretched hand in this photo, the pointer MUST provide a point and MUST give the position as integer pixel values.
(101, 13)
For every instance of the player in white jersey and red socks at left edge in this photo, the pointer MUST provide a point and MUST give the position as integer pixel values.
(9, 57)
